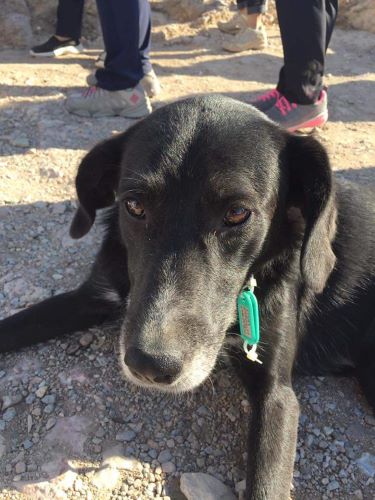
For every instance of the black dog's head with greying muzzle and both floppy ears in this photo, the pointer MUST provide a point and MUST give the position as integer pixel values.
(203, 188)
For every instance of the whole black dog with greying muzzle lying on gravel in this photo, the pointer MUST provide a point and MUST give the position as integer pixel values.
(205, 193)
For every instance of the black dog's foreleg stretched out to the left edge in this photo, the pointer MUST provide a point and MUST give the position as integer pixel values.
(65, 313)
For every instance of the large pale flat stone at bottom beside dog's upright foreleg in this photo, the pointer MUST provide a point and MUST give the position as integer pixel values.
(197, 485)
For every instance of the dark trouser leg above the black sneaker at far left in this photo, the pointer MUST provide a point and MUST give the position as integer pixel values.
(69, 19)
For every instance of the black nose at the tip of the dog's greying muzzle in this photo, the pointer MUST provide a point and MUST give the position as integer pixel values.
(159, 369)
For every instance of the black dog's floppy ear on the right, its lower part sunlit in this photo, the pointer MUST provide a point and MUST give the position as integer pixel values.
(311, 189)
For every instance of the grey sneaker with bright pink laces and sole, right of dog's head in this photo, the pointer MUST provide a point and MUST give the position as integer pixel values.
(294, 116)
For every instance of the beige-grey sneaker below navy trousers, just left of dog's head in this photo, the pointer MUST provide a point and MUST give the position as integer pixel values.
(97, 102)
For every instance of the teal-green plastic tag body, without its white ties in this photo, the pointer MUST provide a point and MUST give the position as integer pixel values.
(248, 315)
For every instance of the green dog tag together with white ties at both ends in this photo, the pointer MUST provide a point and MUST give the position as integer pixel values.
(248, 317)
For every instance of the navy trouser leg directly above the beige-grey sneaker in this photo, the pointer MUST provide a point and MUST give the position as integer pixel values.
(119, 20)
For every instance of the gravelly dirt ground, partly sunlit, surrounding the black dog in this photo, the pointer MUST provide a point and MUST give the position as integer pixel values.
(70, 427)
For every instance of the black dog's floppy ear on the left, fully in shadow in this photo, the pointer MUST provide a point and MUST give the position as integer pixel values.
(96, 182)
